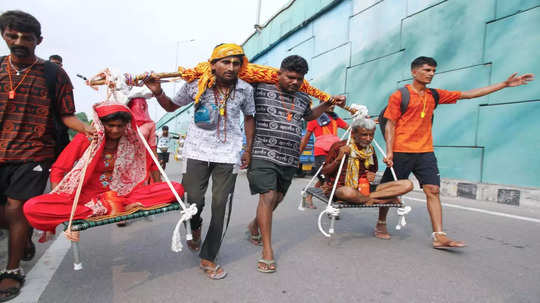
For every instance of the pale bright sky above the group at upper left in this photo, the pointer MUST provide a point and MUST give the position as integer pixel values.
(137, 36)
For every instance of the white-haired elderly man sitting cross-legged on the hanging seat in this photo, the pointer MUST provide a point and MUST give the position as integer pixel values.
(358, 173)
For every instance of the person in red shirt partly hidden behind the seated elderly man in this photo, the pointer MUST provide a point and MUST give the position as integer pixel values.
(325, 130)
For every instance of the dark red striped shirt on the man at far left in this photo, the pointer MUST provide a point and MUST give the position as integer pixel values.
(27, 131)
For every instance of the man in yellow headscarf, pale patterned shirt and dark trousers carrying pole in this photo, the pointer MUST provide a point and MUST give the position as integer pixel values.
(214, 141)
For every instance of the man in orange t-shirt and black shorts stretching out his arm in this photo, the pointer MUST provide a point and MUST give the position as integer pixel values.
(409, 142)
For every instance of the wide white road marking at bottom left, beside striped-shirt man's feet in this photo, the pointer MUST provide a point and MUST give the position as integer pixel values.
(41, 274)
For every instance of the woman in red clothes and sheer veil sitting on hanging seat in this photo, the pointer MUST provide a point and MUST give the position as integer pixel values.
(115, 177)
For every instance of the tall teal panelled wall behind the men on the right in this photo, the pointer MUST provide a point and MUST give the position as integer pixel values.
(363, 48)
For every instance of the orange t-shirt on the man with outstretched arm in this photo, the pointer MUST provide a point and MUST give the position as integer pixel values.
(413, 133)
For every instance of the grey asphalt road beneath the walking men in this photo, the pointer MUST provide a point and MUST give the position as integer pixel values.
(135, 263)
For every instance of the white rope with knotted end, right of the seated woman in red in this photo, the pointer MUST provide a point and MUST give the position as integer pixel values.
(185, 214)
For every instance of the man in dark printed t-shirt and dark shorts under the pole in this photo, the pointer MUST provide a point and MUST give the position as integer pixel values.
(276, 149)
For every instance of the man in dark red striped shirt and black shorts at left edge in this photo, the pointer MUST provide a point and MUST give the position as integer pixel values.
(27, 135)
